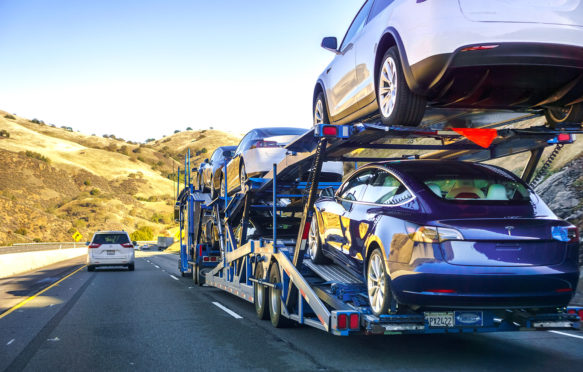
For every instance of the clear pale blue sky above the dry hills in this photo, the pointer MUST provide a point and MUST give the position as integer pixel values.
(141, 69)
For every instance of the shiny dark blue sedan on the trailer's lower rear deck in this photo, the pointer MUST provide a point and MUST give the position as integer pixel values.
(447, 234)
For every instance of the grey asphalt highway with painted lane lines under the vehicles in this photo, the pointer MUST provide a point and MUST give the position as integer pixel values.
(152, 319)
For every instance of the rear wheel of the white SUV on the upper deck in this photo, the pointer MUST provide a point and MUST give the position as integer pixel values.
(397, 104)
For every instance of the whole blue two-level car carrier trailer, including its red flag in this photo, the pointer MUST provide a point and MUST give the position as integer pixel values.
(274, 272)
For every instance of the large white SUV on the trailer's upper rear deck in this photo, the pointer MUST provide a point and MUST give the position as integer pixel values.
(499, 54)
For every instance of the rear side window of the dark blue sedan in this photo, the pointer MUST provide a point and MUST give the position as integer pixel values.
(386, 189)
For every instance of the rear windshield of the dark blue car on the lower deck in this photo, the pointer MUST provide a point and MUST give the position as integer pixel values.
(465, 181)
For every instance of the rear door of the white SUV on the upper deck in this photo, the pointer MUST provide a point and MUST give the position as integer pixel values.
(366, 44)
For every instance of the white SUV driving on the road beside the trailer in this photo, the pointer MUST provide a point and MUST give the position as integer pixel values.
(110, 248)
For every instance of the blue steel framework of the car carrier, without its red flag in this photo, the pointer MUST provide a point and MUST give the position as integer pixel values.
(336, 307)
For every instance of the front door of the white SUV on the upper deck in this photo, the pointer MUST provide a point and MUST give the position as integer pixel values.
(342, 86)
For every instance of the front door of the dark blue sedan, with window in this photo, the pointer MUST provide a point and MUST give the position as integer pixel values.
(336, 215)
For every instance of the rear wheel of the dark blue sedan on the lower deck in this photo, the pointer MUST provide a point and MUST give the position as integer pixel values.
(377, 284)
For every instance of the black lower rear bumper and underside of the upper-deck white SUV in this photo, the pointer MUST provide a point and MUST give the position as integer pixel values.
(510, 75)
